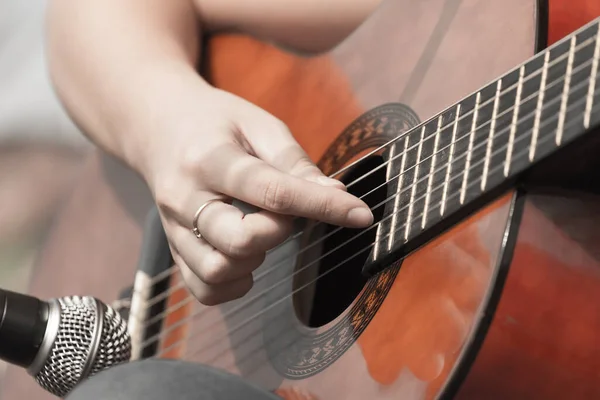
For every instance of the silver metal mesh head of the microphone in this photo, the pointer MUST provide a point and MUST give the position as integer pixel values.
(73, 356)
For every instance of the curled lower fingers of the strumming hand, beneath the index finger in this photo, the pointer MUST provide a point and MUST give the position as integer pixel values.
(218, 267)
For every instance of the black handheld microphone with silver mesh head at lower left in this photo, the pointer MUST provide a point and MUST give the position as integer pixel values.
(63, 341)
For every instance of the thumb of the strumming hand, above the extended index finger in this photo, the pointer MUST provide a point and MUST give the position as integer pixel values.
(274, 144)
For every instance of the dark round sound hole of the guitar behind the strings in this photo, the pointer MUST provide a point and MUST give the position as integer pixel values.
(329, 274)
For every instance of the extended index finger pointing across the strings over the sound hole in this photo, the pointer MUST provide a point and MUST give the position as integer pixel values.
(252, 180)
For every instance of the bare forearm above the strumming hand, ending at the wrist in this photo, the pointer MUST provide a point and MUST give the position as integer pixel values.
(109, 59)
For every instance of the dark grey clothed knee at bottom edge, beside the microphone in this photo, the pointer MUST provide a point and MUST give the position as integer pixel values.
(167, 380)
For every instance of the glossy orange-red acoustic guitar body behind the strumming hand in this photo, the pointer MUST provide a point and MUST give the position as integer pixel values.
(504, 304)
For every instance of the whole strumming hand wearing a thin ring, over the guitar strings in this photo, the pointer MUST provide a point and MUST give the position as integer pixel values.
(222, 146)
